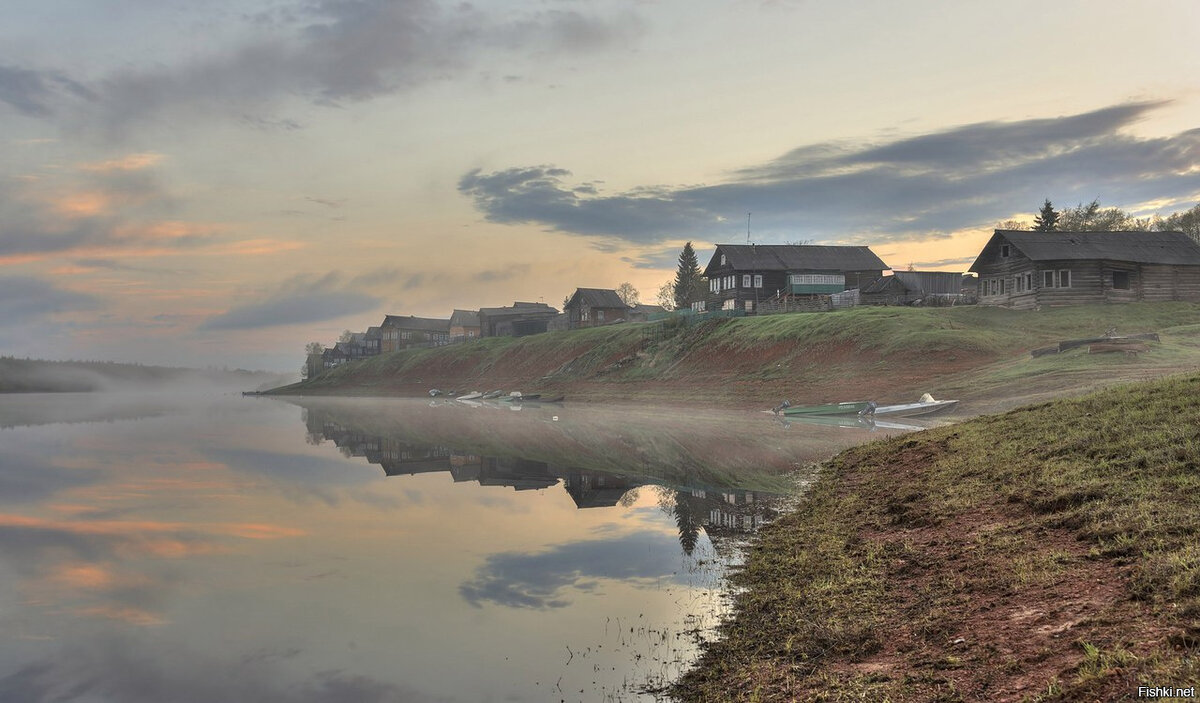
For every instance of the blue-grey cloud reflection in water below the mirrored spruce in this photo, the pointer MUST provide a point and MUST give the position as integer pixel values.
(542, 580)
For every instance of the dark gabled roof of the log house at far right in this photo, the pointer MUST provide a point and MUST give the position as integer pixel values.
(1139, 248)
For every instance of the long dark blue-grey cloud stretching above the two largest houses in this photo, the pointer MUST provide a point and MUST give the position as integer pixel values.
(915, 188)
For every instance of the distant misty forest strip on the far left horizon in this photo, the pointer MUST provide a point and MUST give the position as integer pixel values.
(34, 376)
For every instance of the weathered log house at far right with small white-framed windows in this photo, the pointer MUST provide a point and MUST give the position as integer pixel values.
(1033, 269)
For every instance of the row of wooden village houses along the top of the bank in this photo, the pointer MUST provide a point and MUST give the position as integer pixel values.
(1016, 269)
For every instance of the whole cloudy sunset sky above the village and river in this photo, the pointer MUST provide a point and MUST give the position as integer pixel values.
(217, 184)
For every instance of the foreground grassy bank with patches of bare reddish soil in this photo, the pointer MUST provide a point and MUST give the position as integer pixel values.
(1049, 554)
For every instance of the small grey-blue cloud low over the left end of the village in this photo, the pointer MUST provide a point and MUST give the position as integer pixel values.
(299, 301)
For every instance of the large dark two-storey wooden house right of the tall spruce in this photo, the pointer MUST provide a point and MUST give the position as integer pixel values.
(742, 277)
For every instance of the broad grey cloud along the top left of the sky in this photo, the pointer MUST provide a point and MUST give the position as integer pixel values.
(328, 52)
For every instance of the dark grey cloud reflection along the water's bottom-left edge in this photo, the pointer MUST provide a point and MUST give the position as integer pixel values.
(118, 669)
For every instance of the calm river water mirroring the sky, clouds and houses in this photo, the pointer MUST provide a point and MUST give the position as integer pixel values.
(163, 549)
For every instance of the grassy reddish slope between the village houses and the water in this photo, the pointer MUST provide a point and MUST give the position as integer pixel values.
(887, 354)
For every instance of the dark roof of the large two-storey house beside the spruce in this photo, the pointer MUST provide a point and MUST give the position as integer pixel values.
(778, 257)
